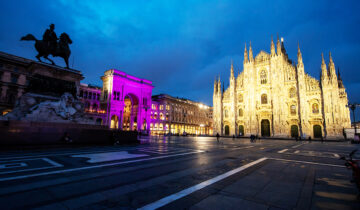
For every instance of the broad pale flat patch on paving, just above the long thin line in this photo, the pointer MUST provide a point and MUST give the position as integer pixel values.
(108, 156)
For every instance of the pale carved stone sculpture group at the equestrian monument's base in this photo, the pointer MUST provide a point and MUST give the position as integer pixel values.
(67, 109)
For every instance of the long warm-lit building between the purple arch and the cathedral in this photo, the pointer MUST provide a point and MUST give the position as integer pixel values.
(179, 116)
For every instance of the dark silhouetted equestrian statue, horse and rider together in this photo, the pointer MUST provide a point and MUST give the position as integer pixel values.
(51, 45)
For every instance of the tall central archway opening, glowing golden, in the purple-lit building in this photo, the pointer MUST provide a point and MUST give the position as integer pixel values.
(131, 104)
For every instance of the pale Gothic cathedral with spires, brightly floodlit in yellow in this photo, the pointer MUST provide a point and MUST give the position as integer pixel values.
(274, 97)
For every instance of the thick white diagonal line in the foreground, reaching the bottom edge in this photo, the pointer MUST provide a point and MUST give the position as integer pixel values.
(164, 201)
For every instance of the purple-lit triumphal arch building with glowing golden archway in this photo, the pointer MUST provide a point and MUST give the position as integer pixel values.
(126, 100)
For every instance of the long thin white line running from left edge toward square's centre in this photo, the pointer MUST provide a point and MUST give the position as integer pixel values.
(95, 166)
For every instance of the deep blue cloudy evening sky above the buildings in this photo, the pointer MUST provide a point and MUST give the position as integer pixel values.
(182, 45)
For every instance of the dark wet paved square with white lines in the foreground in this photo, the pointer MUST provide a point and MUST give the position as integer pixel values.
(182, 172)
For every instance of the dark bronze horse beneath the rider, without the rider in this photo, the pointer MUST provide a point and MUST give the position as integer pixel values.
(43, 49)
